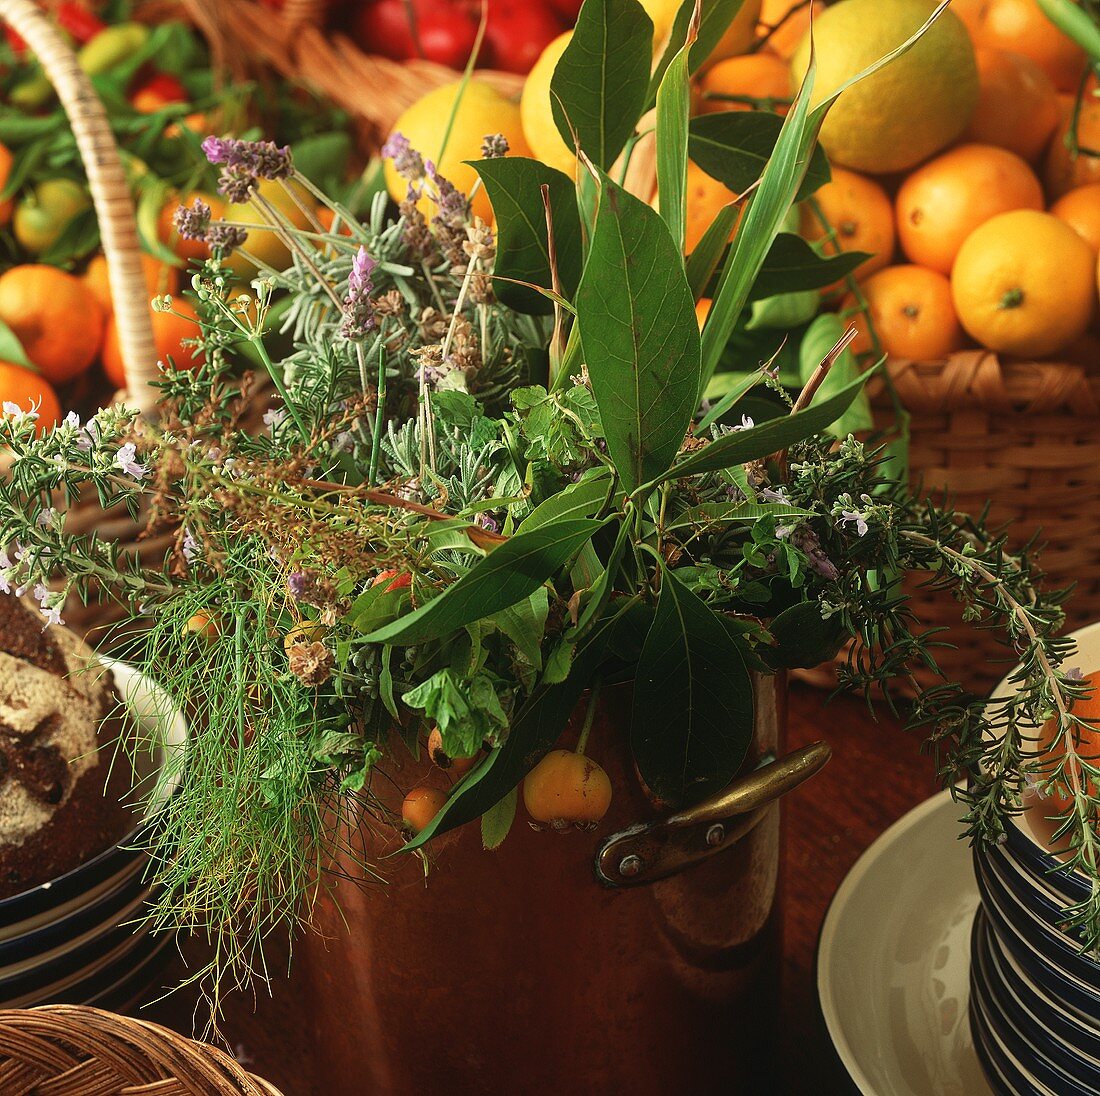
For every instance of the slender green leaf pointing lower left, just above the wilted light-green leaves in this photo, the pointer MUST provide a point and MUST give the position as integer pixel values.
(508, 575)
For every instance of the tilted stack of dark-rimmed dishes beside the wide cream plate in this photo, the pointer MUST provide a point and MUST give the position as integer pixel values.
(1035, 992)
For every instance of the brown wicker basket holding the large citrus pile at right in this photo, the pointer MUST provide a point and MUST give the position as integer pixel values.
(1025, 439)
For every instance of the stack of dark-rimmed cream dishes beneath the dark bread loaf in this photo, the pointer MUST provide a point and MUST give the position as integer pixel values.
(80, 939)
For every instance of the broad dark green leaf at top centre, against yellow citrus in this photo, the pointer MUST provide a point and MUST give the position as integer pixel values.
(600, 86)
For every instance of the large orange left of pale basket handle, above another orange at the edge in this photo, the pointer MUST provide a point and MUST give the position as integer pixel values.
(56, 317)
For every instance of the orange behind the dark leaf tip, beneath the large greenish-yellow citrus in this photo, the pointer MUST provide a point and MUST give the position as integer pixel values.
(862, 217)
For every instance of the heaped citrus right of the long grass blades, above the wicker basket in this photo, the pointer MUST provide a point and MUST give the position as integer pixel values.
(953, 168)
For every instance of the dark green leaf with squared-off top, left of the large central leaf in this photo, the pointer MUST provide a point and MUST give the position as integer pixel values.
(514, 187)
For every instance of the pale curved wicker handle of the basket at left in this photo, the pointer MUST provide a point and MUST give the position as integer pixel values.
(111, 194)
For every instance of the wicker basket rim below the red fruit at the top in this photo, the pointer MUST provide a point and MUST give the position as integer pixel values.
(295, 43)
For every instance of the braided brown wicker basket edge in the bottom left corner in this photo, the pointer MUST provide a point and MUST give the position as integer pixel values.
(68, 1050)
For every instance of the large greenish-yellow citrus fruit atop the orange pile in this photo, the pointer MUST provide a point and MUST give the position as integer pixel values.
(910, 109)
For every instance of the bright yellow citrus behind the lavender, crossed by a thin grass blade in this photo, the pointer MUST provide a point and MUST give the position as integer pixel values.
(483, 112)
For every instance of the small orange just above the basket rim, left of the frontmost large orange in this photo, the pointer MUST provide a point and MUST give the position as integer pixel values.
(912, 312)
